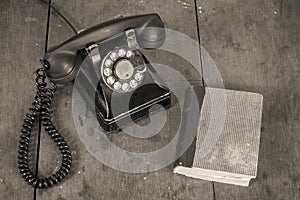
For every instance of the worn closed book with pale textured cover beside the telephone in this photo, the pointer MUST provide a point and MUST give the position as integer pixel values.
(228, 136)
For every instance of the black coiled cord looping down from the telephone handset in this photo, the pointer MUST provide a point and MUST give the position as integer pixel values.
(41, 110)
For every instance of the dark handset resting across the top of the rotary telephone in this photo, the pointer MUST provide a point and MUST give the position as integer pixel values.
(62, 58)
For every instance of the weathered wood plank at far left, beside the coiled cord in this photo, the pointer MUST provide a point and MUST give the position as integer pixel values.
(22, 36)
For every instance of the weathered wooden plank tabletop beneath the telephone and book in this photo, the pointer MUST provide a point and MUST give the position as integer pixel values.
(255, 44)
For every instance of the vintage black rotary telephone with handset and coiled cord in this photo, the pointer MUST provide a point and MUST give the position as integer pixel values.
(112, 49)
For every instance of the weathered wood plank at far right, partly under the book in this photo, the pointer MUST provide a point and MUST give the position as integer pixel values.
(256, 45)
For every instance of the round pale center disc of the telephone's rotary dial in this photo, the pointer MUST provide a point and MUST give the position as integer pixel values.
(124, 69)
